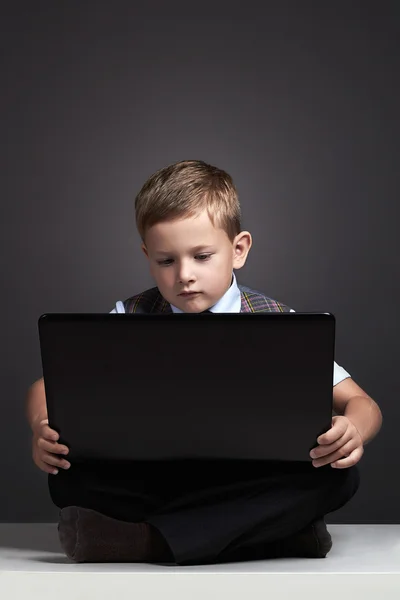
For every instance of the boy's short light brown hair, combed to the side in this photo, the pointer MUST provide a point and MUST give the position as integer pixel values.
(182, 190)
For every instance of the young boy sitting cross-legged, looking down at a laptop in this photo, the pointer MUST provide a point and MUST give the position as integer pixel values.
(188, 217)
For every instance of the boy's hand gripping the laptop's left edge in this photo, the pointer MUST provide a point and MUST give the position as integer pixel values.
(45, 448)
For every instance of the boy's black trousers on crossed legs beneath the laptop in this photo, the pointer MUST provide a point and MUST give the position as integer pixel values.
(206, 508)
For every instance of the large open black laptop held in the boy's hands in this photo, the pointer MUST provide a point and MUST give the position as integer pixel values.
(188, 386)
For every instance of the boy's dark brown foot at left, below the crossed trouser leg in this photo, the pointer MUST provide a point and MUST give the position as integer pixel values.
(89, 536)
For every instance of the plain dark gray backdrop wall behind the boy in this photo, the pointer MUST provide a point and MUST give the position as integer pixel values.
(298, 101)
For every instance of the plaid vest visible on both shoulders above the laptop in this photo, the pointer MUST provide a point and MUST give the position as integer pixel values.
(151, 301)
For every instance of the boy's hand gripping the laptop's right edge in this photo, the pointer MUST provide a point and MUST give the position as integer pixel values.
(341, 446)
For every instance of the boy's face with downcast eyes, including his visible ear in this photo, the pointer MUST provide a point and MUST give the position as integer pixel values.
(191, 255)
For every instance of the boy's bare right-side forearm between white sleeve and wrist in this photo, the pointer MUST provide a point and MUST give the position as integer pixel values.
(350, 400)
